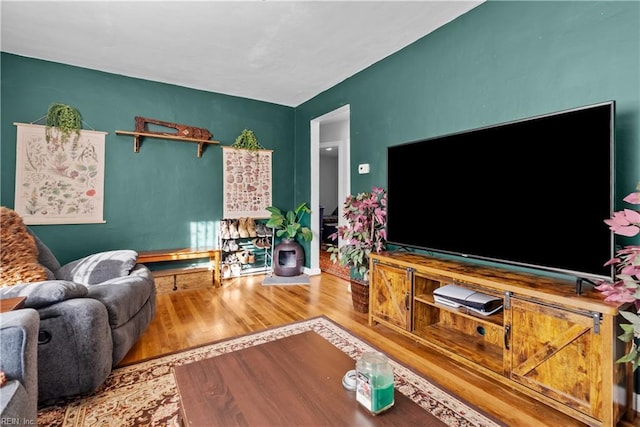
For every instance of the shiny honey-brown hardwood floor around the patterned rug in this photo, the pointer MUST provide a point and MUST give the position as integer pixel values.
(194, 317)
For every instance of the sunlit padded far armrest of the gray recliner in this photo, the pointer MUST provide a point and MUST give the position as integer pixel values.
(99, 267)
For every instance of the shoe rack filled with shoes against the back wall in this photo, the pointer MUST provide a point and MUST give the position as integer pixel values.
(246, 245)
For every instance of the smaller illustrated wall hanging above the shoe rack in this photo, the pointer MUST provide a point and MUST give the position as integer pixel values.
(247, 182)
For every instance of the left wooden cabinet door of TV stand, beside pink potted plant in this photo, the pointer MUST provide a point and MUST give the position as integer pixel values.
(390, 294)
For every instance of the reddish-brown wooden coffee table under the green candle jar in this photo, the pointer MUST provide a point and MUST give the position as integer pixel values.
(292, 381)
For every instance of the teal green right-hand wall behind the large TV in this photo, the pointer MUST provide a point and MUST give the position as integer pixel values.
(499, 62)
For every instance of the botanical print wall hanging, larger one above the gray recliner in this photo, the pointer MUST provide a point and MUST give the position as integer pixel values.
(59, 183)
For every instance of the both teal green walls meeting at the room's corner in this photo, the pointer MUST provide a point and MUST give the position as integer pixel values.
(499, 62)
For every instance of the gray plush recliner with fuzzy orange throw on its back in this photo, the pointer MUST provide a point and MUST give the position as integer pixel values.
(92, 311)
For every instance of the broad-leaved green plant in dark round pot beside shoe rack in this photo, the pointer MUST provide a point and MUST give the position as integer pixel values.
(288, 254)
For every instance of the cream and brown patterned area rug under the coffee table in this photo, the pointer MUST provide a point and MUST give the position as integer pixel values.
(145, 394)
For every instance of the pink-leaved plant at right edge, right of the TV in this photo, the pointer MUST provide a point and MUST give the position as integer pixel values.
(626, 287)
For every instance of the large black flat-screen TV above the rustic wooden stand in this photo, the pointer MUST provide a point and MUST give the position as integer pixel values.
(533, 192)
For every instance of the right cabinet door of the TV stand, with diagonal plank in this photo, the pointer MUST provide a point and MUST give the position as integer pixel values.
(555, 352)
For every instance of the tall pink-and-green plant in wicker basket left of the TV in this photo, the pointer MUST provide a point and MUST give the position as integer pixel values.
(365, 232)
